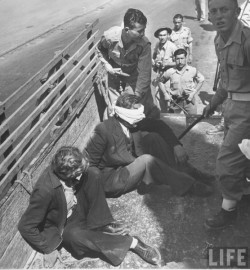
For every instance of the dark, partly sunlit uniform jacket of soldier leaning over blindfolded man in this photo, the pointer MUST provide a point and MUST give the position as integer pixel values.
(136, 60)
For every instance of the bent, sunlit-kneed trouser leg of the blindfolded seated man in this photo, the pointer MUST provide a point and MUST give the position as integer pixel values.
(147, 169)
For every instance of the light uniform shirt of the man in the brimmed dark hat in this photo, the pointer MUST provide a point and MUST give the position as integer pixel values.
(164, 53)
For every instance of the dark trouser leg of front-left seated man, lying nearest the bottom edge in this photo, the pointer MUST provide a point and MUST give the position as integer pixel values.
(79, 241)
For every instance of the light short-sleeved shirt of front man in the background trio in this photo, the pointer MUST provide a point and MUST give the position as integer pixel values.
(183, 81)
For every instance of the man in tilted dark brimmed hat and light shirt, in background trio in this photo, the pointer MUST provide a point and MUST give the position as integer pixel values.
(163, 54)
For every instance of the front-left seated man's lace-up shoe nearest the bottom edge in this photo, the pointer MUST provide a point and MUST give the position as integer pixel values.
(147, 253)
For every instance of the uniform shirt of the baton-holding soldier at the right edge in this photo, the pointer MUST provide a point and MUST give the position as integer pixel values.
(234, 58)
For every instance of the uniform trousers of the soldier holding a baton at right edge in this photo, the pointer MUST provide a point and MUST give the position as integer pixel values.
(232, 165)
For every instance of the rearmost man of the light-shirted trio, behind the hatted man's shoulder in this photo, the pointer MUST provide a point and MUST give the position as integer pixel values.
(181, 36)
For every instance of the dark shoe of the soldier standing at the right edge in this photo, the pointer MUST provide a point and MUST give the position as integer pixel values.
(221, 220)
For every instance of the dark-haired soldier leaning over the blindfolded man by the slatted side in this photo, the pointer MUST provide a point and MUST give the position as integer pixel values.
(126, 56)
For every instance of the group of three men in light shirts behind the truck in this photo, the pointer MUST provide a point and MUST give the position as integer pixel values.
(172, 58)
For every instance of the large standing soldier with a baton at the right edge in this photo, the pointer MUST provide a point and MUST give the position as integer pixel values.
(232, 45)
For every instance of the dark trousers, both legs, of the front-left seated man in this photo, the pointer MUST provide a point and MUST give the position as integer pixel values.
(80, 237)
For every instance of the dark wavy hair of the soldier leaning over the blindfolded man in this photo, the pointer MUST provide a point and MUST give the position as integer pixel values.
(133, 16)
